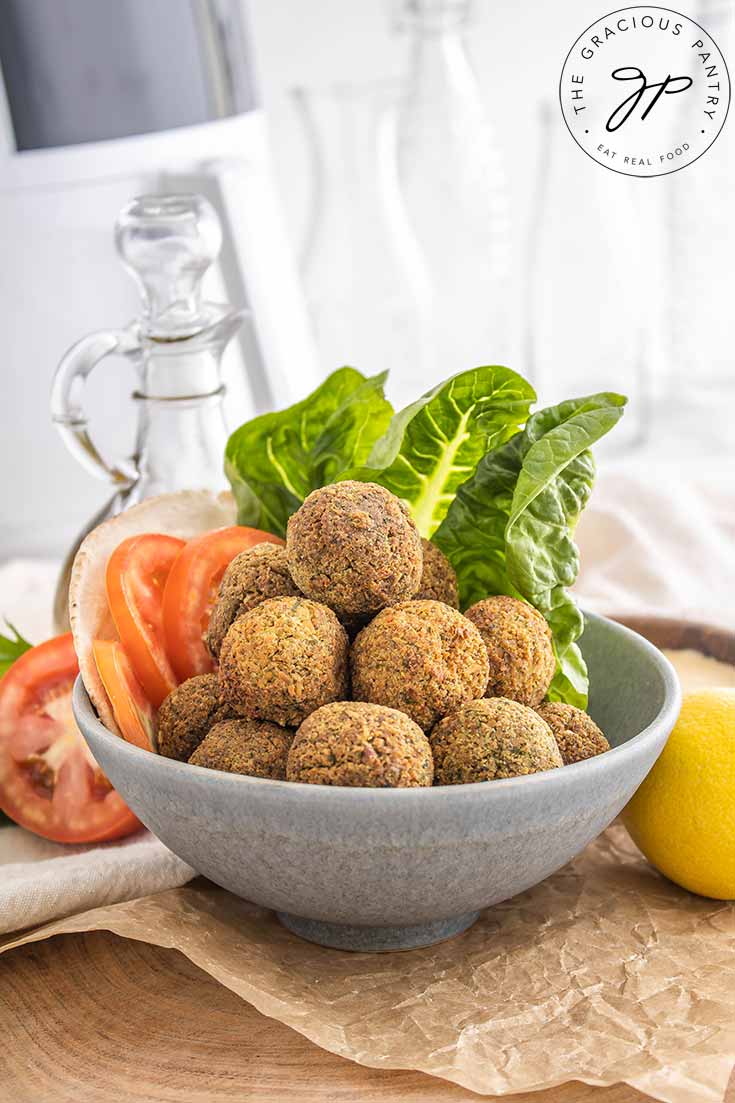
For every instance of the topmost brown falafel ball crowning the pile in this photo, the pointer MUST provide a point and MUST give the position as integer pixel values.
(355, 548)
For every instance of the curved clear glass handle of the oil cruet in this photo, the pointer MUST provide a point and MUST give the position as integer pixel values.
(68, 412)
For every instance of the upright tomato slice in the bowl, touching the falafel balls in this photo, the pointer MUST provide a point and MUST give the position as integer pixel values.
(191, 591)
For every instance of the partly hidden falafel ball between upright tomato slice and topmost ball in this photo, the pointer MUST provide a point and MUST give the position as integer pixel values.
(254, 575)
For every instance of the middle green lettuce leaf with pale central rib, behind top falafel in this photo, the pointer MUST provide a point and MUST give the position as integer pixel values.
(434, 446)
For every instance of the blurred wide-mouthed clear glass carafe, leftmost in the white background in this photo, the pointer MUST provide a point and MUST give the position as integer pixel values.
(361, 307)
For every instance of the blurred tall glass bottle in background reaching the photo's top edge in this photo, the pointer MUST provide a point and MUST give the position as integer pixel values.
(452, 189)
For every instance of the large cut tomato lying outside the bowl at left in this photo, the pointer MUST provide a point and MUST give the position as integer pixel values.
(49, 780)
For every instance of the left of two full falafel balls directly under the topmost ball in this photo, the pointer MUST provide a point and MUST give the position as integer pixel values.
(283, 660)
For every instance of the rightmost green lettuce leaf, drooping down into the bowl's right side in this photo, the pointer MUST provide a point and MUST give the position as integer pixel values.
(510, 529)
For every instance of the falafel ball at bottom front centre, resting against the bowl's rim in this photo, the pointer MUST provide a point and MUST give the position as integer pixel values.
(355, 744)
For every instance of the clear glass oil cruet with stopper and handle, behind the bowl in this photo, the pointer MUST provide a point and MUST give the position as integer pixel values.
(167, 243)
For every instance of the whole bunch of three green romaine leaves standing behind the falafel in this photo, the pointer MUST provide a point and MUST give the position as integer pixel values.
(502, 502)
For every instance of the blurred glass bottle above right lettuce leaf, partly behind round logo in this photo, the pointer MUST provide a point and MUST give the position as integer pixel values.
(588, 307)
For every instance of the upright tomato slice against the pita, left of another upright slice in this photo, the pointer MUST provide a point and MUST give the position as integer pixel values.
(136, 575)
